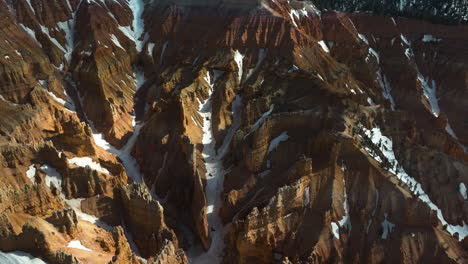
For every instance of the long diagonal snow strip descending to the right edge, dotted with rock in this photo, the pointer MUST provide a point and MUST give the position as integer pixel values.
(386, 147)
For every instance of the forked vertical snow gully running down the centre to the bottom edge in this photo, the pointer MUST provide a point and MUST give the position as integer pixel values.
(215, 175)
